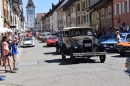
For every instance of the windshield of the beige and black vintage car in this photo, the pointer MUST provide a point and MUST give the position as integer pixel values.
(81, 32)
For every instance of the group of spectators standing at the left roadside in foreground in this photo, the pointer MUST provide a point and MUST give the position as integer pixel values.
(9, 50)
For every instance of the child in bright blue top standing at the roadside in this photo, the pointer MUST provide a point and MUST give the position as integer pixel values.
(14, 47)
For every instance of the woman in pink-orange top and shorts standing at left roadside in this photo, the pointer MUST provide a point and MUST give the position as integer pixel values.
(6, 53)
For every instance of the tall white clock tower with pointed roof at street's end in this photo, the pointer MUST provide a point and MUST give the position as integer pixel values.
(30, 14)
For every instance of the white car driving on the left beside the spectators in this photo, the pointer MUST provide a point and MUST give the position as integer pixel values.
(28, 42)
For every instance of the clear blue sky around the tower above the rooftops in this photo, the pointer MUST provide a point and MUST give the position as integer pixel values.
(42, 6)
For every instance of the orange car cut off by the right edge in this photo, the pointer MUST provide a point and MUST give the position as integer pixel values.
(124, 47)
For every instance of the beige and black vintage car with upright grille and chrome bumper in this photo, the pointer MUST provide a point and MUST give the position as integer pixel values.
(80, 42)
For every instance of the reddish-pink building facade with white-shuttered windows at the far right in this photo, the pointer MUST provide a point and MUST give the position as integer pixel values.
(121, 14)
